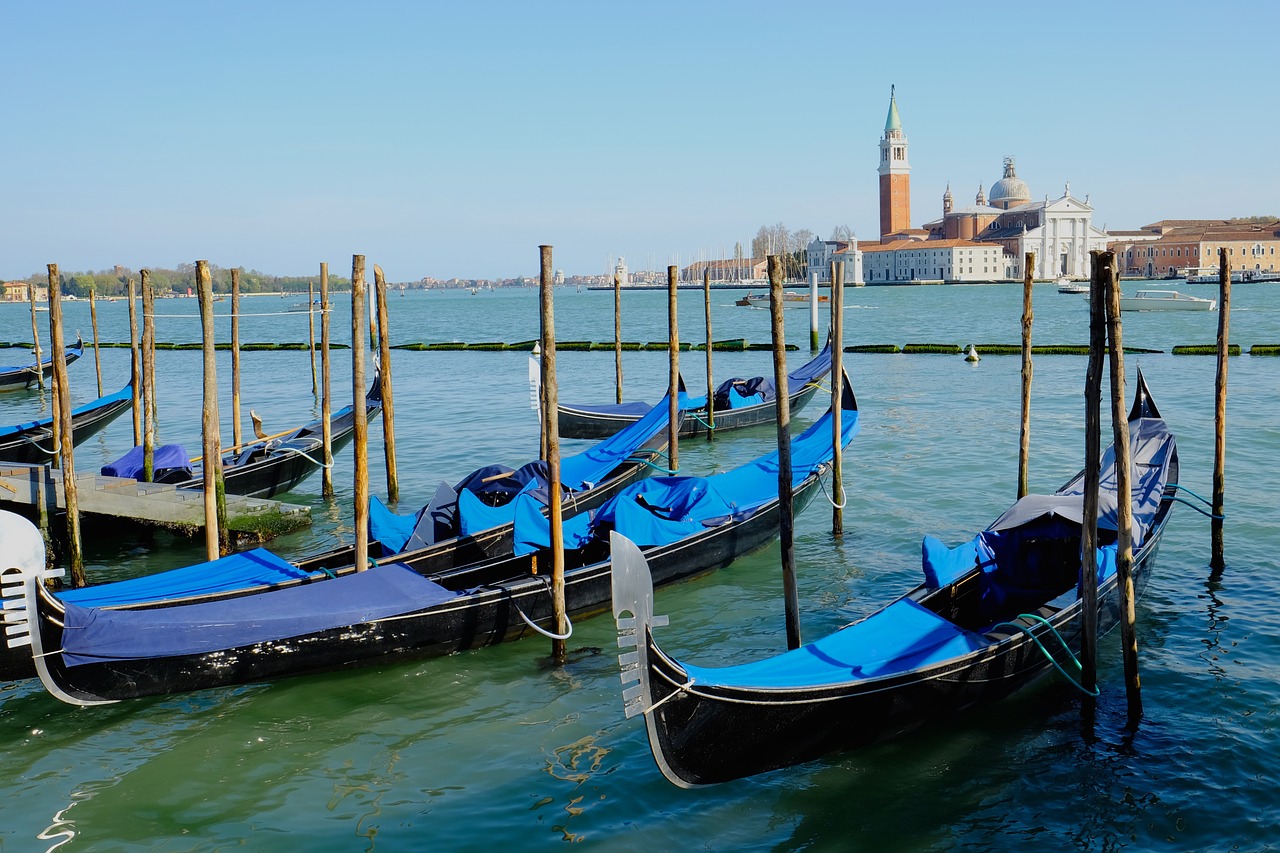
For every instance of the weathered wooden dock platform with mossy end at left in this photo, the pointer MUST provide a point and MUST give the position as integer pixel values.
(149, 504)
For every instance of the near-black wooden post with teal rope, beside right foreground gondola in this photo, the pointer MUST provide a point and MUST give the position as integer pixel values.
(1092, 453)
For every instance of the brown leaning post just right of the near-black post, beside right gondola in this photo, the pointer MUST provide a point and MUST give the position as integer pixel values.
(1124, 500)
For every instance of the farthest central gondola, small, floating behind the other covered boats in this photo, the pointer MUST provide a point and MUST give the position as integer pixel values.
(737, 404)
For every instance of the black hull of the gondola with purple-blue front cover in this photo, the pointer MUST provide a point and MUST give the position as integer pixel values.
(470, 622)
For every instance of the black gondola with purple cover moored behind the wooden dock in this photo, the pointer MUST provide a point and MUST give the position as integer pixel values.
(262, 469)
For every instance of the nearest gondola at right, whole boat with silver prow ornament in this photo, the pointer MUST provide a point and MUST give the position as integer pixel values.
(980, 628)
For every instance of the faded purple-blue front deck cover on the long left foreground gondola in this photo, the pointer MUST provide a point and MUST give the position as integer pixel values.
(97, 636)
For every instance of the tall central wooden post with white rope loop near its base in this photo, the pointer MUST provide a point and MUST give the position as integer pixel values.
(551, 422)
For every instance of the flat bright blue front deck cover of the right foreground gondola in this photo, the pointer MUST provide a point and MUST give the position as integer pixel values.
(899, 638)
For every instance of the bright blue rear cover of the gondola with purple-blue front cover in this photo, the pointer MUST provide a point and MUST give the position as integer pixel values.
(662, 510)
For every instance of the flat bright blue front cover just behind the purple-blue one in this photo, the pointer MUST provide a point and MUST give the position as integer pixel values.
(257, 568)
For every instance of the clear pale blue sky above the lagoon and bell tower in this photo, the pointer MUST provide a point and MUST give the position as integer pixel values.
(454, 139)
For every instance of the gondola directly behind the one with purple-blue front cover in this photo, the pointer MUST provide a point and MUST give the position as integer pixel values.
(440, 539)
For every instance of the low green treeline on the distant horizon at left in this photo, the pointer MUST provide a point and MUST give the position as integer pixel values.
(116, 282)
